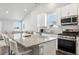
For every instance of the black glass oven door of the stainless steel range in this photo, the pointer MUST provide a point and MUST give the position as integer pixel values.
(67, 45)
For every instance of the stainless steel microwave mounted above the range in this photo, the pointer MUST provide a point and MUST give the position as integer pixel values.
(69, 20)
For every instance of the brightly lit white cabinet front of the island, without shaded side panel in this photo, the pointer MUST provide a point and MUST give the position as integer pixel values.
(48, 48)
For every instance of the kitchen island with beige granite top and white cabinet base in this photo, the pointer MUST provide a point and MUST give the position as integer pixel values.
(40, 45)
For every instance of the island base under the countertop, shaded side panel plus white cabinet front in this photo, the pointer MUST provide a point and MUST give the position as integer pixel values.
(47, 48)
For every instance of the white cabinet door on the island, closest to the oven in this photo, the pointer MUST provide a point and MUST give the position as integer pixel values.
(50, 48)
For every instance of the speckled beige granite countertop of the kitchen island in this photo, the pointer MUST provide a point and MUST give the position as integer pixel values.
(34, 40)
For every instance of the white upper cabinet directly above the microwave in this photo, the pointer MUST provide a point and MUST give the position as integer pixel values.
(69, 10)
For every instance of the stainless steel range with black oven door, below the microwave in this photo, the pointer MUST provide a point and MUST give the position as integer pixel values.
(67, 41)
